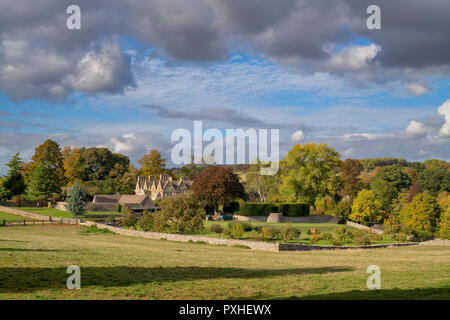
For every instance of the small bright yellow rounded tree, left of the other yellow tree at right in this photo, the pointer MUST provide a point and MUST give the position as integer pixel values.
(366, 207)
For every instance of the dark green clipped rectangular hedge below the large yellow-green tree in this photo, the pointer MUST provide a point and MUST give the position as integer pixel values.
(265, 209)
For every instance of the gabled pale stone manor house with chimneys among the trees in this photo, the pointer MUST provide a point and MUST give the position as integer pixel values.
(163, 187)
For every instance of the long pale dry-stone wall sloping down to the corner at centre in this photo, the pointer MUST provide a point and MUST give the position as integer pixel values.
(256, 245)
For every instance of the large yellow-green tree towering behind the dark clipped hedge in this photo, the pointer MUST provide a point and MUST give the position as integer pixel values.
(307, 171)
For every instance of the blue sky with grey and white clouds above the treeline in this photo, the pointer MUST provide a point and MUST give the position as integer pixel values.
(138, 70)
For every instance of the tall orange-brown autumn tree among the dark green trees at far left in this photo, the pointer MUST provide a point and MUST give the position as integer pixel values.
(49, 156)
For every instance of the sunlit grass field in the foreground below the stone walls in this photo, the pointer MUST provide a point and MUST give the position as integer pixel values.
(33, 262)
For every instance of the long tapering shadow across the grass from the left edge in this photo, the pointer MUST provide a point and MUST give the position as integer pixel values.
(30, 279)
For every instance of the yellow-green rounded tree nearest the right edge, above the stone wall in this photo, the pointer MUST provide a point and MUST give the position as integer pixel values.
(422, 213)
